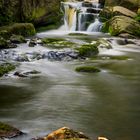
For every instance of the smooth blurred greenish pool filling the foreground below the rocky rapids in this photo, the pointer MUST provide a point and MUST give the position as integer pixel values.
(101, 104)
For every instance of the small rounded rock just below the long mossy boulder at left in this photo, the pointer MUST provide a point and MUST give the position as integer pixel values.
(17, 39)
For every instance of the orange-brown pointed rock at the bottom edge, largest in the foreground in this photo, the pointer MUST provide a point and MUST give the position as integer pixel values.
(64, 133)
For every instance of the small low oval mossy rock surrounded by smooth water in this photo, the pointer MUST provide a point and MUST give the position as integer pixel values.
(90, 69)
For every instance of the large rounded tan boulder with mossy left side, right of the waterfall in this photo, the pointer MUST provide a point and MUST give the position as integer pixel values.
(122, 24)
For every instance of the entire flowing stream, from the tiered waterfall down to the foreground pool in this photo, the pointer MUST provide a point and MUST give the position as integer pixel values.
(98, 104)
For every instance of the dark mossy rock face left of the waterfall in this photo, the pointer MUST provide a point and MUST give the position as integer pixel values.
(39, 12)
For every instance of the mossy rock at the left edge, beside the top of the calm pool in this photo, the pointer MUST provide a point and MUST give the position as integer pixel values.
(5, 68)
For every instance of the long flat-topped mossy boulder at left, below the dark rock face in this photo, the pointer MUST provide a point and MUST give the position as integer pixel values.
(24, 29)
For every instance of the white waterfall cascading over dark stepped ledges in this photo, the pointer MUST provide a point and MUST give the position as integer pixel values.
(82, 16)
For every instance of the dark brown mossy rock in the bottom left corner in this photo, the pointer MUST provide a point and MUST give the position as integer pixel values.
(7, 131)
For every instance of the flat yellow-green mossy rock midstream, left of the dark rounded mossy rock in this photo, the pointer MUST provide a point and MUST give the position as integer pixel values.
(57, 43)
